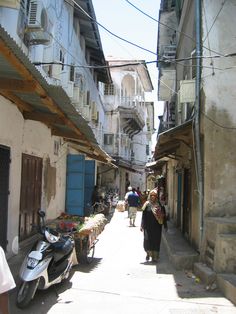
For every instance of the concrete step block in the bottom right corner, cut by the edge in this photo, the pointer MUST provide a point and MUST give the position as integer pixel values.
(227, 284)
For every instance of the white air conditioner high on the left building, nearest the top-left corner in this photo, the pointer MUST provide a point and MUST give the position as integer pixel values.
(38, 24)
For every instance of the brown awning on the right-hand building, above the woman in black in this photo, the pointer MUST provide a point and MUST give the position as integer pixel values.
(169, 141)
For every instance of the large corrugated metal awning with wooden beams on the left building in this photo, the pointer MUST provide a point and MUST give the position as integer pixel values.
(23, 84)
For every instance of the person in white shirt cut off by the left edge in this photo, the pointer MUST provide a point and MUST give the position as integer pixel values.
(6, 283)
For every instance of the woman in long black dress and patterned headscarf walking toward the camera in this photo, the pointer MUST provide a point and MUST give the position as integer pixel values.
(153, 218)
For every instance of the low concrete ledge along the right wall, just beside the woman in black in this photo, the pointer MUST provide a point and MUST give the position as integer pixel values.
(180, 253)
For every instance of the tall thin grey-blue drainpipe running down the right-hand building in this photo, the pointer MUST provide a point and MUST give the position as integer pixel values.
(197, 117)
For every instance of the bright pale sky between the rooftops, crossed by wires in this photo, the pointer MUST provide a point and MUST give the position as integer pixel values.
(125, 21)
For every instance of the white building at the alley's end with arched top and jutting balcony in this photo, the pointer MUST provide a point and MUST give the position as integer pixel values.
(128, 125)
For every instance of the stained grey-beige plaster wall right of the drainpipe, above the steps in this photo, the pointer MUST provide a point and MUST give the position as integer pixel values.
(219, 118)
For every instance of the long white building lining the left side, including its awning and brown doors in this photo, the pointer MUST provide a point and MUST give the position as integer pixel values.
(47, 48)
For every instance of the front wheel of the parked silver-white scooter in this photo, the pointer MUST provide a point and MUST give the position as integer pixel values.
(26, 293)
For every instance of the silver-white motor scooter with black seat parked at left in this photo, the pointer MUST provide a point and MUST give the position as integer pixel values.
(48, 263)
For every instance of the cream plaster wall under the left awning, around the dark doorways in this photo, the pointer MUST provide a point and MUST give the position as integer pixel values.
(35, 139)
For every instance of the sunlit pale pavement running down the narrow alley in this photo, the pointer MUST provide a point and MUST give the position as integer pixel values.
(119, 280)
